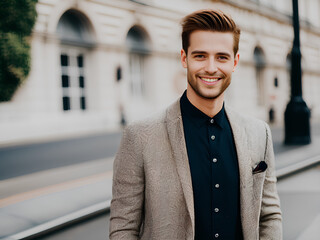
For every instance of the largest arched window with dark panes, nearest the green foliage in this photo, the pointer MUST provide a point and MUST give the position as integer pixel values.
(75, 38)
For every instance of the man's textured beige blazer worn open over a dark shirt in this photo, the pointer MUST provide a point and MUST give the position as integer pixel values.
(152, 188)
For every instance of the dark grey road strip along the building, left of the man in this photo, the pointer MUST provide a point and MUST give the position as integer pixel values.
(21, 160)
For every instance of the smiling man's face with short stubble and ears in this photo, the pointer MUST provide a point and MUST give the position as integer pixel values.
(210, 62)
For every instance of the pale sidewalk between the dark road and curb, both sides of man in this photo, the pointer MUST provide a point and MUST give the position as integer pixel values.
(36, 210)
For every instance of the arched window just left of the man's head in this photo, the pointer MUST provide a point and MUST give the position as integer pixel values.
(138, 45)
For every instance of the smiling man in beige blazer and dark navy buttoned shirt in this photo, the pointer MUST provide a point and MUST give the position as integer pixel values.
(199, 171)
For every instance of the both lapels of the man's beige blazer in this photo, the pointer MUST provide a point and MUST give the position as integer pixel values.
(177, 141)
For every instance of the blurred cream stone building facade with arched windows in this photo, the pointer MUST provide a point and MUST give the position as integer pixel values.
(97, 62)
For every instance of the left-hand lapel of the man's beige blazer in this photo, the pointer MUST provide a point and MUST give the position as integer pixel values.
(177, 141)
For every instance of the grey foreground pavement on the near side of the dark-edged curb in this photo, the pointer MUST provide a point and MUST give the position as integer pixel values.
(299, 195)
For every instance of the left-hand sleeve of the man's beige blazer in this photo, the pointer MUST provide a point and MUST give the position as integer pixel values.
(128, 188)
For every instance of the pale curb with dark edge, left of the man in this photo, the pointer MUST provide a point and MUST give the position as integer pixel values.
(61, 222)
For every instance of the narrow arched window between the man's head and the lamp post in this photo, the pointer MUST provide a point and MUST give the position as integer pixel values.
(260, 63)
